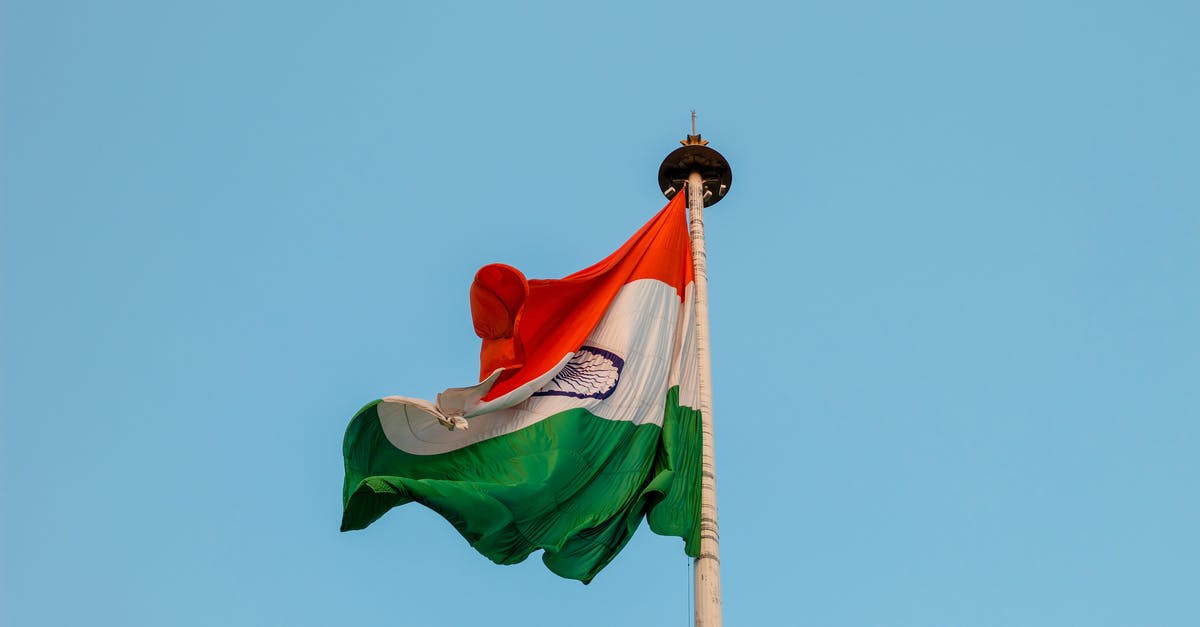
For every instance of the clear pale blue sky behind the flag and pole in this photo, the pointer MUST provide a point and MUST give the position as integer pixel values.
(956, 300)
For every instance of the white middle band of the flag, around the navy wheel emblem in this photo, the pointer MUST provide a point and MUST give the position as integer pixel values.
(643, 326)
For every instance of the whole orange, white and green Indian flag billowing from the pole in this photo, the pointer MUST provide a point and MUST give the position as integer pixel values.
(585, 420)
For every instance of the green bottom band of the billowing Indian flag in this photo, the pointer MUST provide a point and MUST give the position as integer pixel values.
(574, 485)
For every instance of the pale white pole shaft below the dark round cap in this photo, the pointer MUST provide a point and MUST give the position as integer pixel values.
(709, 565)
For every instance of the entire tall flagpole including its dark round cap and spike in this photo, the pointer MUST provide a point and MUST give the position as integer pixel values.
(706, 176)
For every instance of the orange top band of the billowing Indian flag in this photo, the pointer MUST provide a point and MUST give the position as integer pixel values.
(529, 326)
